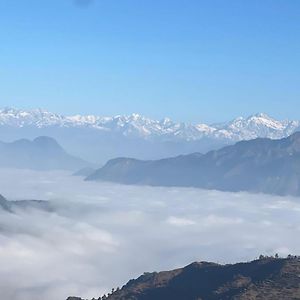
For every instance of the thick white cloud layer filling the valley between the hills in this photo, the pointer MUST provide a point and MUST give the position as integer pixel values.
(103, 234)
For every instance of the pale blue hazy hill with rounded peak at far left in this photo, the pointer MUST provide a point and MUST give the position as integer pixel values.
(43, 153)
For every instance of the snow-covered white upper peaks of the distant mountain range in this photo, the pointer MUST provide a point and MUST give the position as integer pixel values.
(259, 125)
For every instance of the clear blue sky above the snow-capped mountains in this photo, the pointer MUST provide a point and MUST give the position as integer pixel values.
(191, 60)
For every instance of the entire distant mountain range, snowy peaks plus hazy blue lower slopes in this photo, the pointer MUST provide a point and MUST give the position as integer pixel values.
(100, 138)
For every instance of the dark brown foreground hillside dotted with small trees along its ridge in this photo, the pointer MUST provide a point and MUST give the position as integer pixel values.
(265, 279)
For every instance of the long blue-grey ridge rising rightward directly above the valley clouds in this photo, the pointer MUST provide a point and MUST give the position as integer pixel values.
(260, 165)
